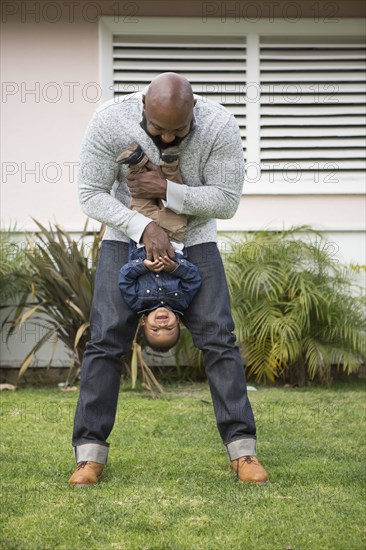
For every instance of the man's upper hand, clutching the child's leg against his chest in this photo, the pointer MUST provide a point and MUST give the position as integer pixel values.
(150, 184)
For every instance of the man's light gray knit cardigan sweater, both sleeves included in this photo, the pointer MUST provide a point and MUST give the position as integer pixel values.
(211, 164)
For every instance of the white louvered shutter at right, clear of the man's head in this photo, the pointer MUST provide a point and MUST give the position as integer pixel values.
(312, 112)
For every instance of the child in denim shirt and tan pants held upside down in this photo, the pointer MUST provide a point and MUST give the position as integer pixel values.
(160, 290)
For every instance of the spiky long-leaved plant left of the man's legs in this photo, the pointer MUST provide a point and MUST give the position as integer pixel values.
(57, 290)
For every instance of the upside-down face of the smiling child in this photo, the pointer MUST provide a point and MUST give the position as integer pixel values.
(161, 327)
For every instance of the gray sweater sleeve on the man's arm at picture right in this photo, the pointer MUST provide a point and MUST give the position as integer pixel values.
(219, 195)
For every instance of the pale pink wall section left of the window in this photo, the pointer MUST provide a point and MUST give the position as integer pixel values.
(41, 131)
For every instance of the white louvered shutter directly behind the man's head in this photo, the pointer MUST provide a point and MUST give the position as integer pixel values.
(214, 66)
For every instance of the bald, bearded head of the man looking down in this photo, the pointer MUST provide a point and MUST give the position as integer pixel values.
(168, 109)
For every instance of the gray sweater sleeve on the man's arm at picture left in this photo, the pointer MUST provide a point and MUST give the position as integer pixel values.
(98, 170)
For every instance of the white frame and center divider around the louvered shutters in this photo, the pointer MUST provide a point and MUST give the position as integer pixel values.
(195, 26)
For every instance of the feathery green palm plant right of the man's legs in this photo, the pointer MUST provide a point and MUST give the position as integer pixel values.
(294, 304)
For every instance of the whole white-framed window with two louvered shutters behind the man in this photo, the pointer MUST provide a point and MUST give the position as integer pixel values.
(299, 100)
